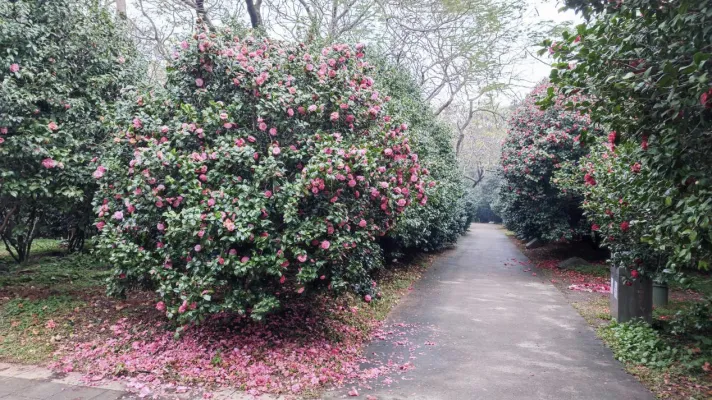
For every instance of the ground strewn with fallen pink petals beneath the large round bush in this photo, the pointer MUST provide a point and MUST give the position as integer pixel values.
(308, 347)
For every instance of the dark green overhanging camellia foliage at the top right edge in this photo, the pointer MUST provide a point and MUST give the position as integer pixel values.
(646, 67)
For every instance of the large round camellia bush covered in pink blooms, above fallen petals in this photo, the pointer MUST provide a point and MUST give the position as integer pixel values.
(262, 169)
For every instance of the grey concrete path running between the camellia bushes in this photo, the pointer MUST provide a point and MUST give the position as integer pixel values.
(492, 331)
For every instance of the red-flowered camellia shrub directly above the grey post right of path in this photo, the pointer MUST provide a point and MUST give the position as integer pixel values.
(612, 181)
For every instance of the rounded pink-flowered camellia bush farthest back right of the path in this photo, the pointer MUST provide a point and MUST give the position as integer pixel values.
(537, 143)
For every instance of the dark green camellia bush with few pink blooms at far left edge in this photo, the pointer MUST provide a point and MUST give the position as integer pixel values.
(56, 86)
